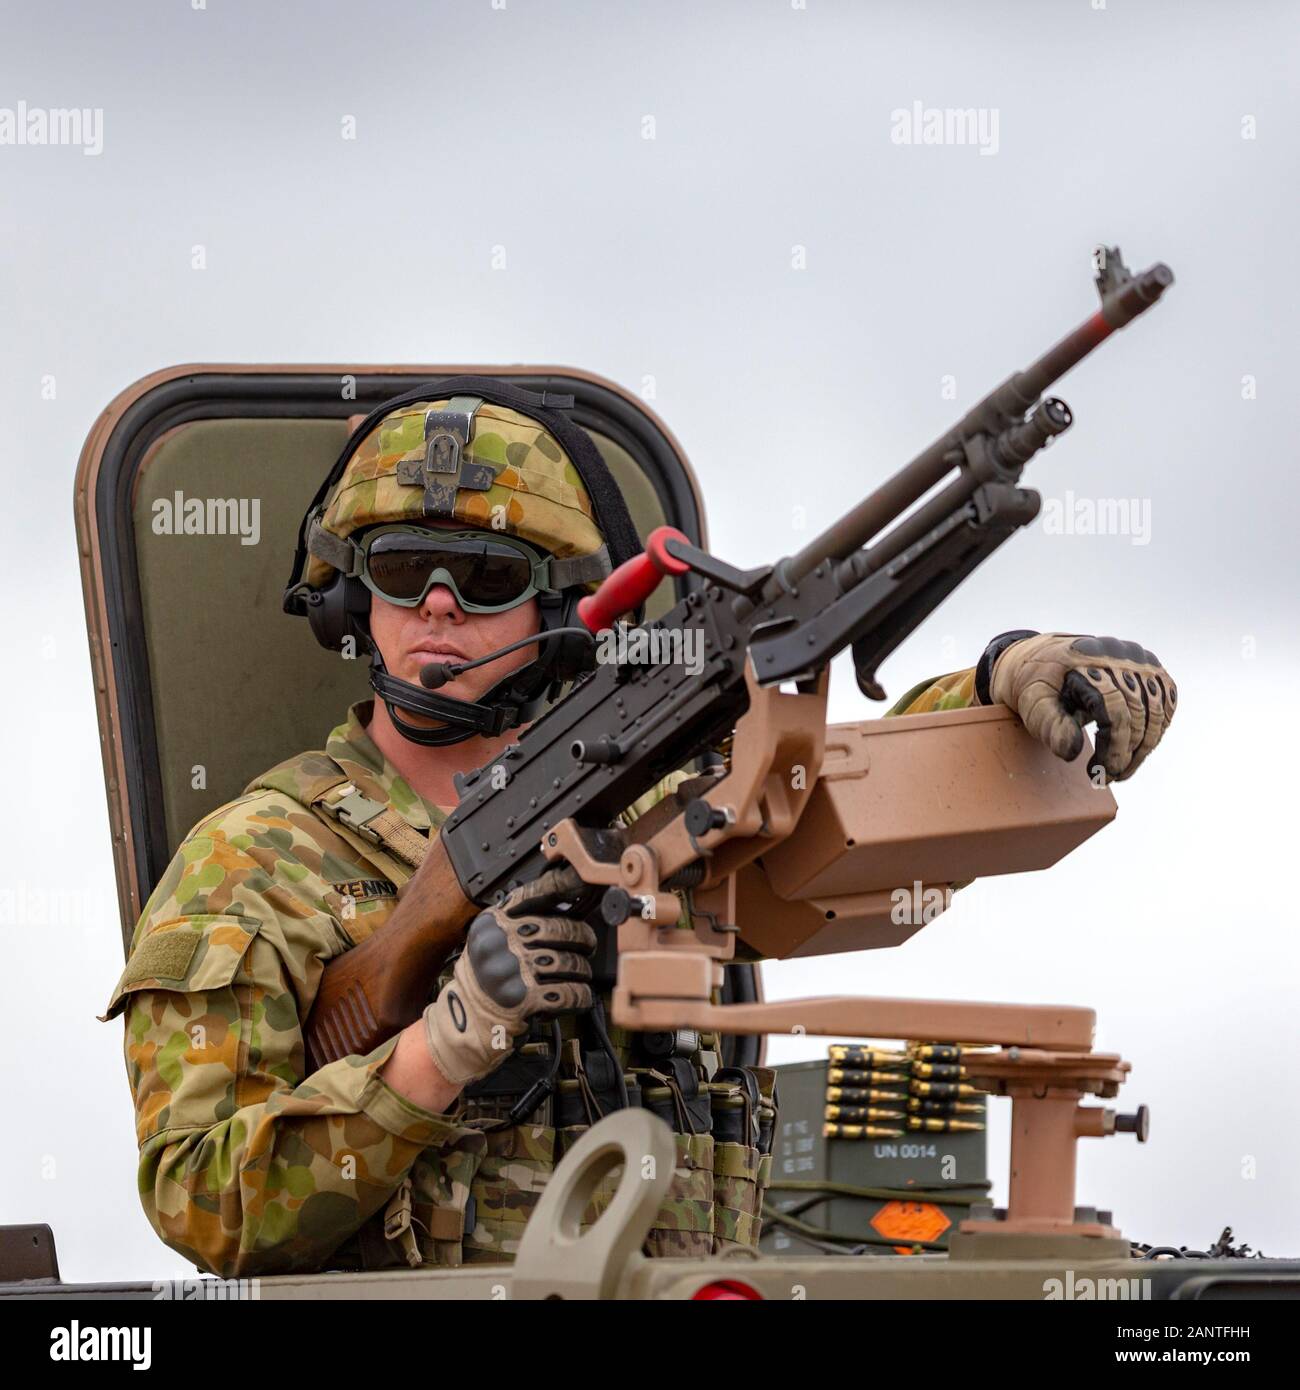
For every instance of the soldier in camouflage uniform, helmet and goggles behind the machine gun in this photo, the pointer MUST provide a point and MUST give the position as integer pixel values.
(455, 528)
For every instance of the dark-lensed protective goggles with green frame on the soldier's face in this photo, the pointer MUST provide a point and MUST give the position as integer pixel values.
(487, 573)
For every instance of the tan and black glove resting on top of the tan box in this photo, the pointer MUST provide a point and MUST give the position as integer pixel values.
(1060, 682)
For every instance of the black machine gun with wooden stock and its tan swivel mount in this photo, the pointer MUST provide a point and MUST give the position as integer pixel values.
(550, 800)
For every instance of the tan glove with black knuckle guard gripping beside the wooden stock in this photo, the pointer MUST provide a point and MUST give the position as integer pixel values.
(517, 965)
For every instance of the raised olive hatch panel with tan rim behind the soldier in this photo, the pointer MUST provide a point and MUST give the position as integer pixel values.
(201, 680)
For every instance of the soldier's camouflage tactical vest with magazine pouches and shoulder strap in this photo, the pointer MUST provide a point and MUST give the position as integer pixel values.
(468, 1200)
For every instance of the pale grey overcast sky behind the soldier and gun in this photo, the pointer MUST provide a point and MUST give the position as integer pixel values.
(718, 208)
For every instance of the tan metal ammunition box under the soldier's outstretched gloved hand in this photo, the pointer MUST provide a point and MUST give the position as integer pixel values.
(906, 808)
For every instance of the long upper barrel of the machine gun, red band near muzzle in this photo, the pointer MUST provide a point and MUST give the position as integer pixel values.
(996, 412)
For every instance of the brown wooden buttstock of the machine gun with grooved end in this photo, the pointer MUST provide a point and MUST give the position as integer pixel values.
(377, 989)
